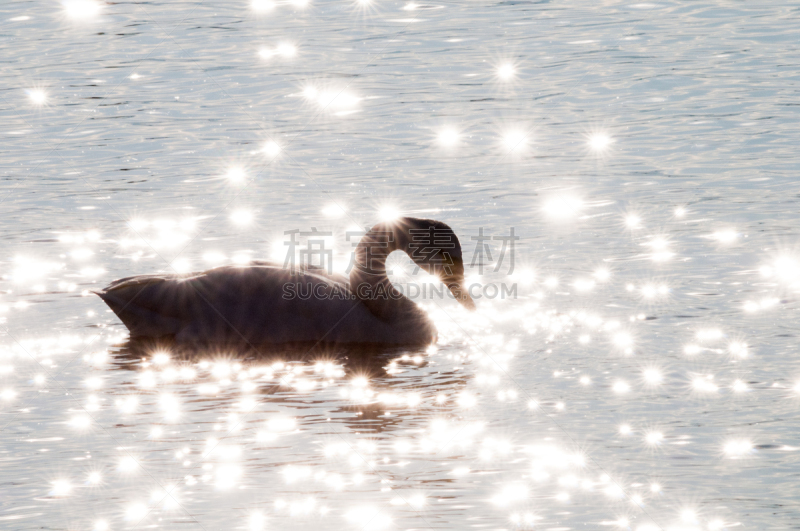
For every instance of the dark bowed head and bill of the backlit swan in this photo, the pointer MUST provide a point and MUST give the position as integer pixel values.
(435, 248)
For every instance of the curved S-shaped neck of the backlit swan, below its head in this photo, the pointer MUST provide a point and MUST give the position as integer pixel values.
(368, 279)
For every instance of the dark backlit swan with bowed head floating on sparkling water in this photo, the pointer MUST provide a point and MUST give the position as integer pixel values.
(266, 303)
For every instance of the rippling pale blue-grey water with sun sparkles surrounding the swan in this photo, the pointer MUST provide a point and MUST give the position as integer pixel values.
(645, 154)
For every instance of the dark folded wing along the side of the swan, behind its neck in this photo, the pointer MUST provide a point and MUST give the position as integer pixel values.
(242, 302)
